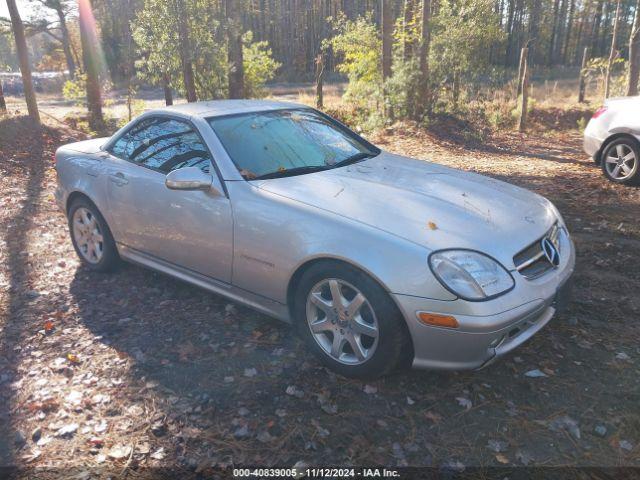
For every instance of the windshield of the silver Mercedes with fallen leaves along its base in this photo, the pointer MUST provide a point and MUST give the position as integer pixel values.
(287, 142)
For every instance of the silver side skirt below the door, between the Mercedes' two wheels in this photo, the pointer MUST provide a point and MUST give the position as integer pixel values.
(257, 302)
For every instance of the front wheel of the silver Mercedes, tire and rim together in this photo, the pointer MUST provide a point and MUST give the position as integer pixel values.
(379, 353)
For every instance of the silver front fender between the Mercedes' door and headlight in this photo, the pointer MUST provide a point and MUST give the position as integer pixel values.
(275, 236)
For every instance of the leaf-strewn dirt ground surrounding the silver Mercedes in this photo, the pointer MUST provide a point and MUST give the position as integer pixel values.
(135, 369)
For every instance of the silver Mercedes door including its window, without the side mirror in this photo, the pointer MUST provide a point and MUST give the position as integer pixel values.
(191, 229)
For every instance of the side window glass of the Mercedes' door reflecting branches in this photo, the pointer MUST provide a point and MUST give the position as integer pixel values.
(163, 144)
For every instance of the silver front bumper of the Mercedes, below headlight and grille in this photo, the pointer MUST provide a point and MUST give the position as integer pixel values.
(481, 338)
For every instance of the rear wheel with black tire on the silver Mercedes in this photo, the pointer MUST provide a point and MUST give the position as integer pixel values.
(91, 237)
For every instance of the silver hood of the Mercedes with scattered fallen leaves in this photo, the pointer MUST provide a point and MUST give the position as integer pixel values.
(428, 204)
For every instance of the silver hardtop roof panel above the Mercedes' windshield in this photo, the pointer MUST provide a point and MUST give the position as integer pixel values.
(216, 108)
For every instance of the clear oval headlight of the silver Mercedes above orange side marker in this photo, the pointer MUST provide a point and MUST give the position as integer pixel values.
(470, 275)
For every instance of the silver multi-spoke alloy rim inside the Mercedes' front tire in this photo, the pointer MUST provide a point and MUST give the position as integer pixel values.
(342, 321)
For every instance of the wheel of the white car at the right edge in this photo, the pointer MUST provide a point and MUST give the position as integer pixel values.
(620, 161)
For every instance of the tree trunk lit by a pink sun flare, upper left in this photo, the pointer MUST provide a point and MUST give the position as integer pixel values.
(91, 66)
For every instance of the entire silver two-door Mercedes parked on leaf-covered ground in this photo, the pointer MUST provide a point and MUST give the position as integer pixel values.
(378, 260)
